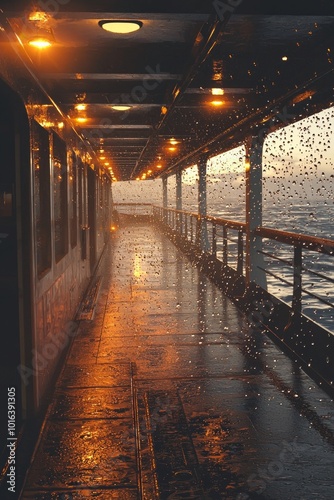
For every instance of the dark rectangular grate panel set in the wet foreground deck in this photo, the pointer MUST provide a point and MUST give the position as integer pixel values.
(164, 429)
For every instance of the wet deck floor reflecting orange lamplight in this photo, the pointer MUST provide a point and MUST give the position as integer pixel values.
(164, 395)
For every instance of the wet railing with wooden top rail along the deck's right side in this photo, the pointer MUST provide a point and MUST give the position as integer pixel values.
(201, 231)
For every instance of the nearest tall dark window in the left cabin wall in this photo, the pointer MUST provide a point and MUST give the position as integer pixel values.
(41, 164)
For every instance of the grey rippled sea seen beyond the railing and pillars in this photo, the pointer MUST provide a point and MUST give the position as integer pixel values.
(315, 219)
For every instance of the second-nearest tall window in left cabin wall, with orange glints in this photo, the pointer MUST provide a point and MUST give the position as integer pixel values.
(60, 197)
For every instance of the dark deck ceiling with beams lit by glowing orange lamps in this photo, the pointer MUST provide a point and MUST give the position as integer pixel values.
(263, 56)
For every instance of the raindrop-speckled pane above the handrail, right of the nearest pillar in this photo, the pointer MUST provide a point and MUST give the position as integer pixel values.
(298, 178)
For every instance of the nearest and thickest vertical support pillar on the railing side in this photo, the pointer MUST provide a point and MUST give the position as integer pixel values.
(254, 259)
